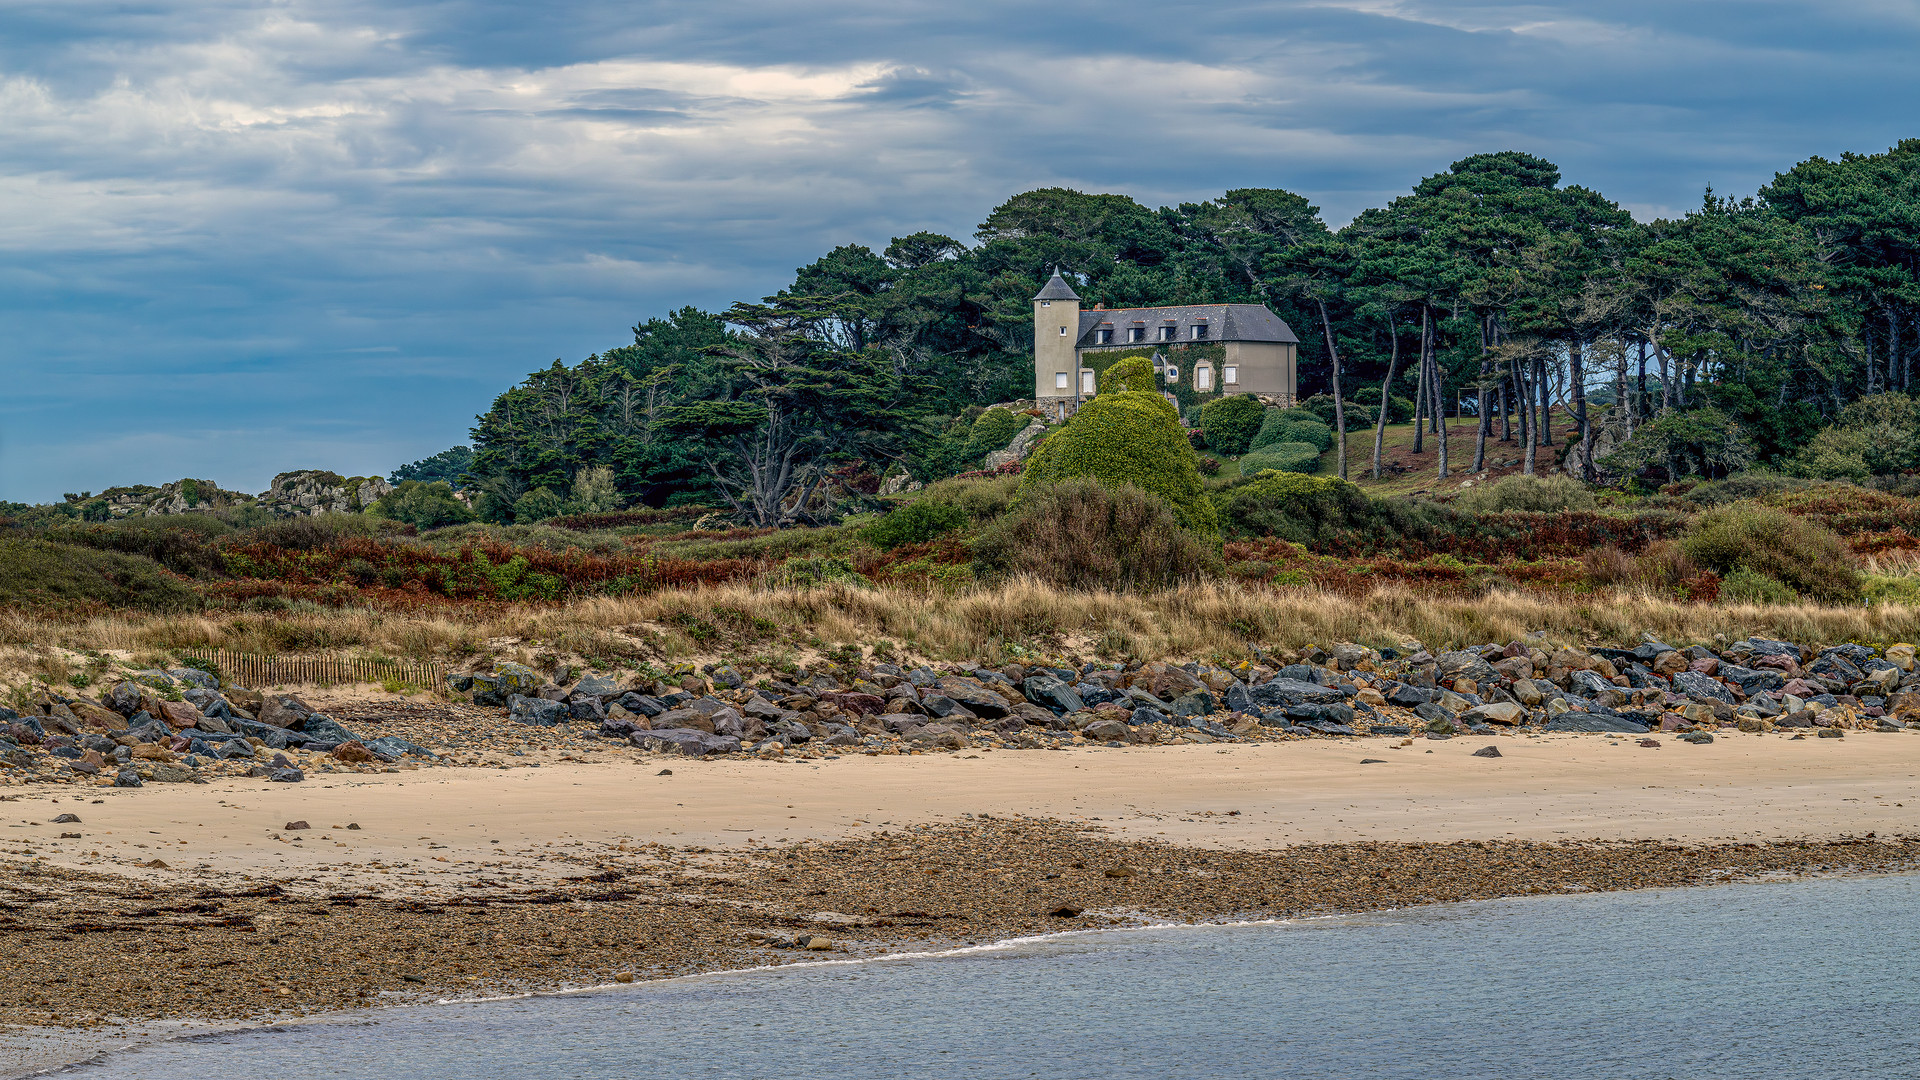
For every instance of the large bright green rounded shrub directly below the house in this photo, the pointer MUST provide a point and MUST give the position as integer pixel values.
(1128, 437)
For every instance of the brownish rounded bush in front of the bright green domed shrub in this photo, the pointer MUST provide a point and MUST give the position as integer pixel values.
(1084, 535)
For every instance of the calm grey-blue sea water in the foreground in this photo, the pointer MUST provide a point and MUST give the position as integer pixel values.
(1796, 981)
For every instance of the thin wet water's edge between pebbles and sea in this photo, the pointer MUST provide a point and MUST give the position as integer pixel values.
(22, 1058)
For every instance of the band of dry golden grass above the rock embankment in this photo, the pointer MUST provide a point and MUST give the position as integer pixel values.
(1214, 622)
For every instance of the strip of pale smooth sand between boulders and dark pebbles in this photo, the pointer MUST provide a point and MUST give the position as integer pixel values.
(456, 825)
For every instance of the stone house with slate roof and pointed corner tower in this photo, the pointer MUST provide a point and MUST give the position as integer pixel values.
(1201, 351)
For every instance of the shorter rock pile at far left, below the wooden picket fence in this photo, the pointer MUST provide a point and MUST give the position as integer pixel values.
(180, 727)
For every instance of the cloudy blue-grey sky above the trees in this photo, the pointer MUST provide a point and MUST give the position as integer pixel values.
(243, 237)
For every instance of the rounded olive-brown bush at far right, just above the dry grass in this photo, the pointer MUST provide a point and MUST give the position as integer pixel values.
(1800, 554)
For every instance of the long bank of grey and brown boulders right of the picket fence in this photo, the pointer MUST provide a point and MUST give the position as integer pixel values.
(1337, 693)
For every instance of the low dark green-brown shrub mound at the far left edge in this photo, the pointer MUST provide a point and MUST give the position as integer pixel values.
(41, 572)
